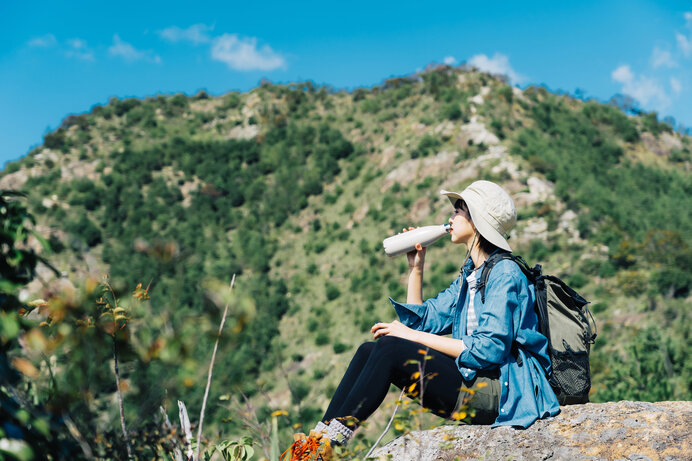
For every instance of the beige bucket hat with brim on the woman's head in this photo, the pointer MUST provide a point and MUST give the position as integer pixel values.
(492, 210)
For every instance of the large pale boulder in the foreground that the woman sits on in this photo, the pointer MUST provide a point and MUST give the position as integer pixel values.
(594, 431)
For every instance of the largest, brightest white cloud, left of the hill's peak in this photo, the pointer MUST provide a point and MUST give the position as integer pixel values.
(243, 54)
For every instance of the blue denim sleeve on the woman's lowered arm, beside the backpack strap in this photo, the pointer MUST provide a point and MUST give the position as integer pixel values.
(491, 342)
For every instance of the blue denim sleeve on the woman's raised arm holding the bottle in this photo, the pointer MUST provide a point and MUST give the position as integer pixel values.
(435, 315)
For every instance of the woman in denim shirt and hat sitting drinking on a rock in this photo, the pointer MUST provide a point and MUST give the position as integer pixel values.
(495, 343)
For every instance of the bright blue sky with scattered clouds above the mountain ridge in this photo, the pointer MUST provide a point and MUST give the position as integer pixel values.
(61, 58)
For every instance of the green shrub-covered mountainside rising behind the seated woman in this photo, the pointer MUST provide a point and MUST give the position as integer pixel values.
(292, 188)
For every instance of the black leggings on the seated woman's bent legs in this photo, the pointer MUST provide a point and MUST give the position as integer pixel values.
(376, 365)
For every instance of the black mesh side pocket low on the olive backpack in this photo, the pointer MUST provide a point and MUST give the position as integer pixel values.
(571, 374)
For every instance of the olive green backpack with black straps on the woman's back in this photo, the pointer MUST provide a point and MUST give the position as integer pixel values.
(563, 318)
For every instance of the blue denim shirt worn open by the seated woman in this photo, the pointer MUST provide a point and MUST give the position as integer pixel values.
(506, 316)
